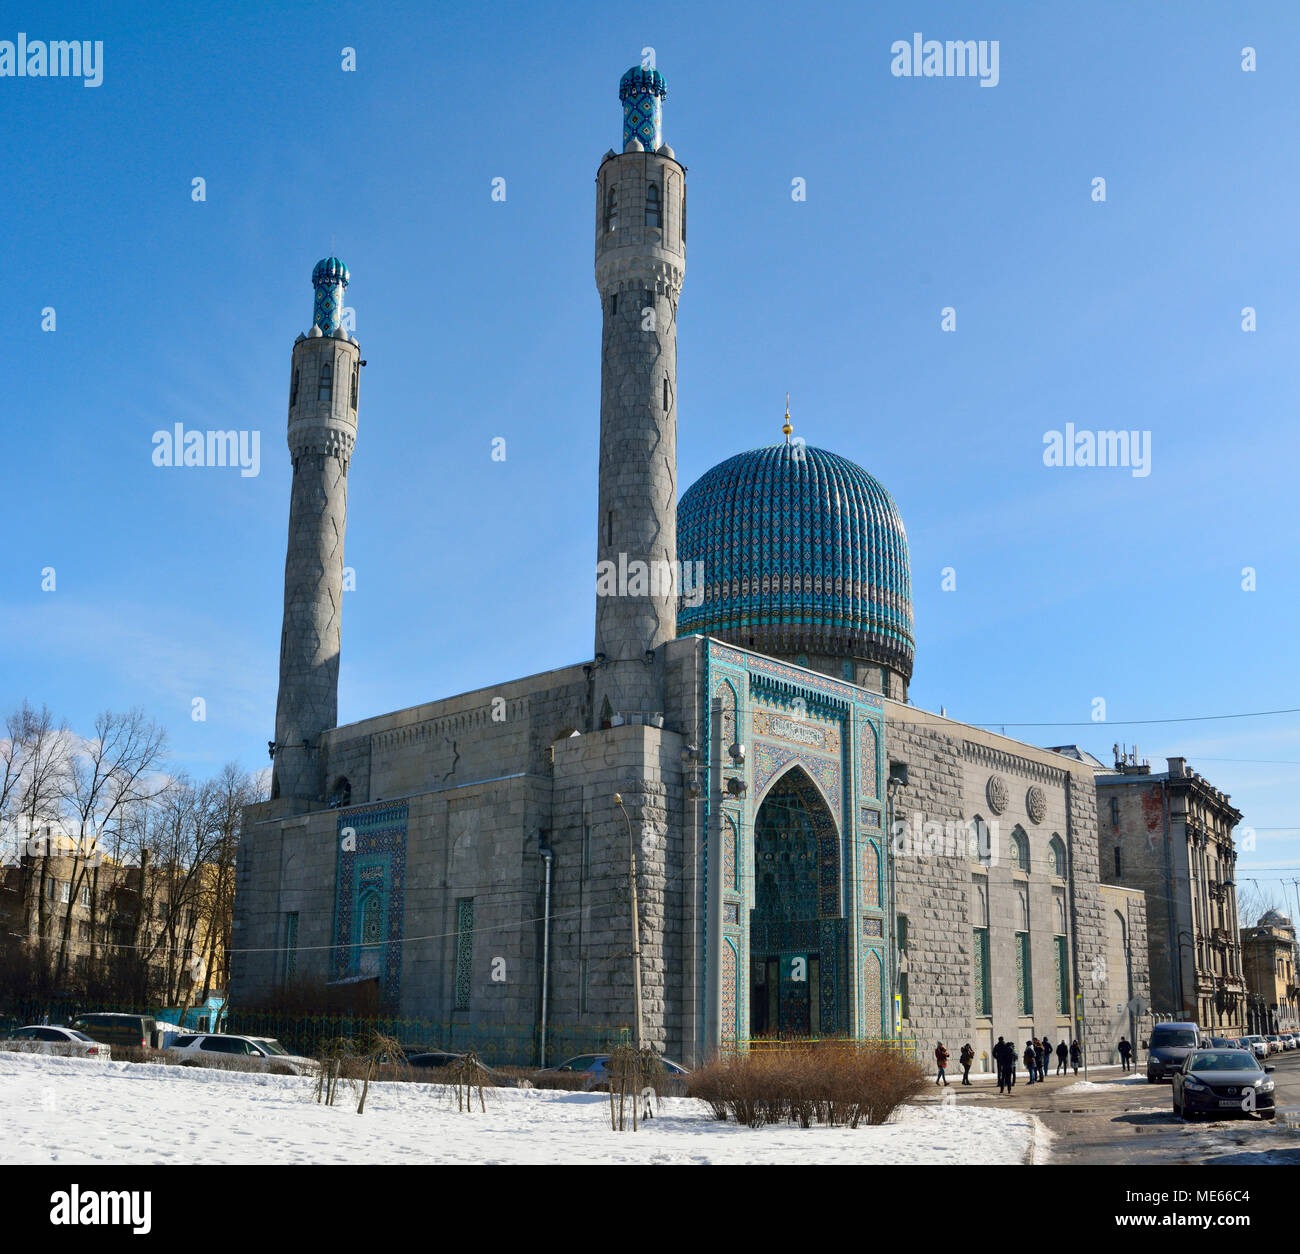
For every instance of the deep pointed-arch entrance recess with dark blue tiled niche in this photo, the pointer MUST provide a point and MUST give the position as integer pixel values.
(798, 956)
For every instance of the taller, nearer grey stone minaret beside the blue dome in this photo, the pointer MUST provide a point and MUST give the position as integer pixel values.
(640, 266)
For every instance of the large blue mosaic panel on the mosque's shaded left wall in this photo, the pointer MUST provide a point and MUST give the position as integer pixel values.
(371, 867)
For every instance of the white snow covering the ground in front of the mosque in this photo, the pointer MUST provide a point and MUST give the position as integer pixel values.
(71, 1110)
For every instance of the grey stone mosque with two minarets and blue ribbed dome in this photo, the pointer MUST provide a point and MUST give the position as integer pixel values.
(814, 856)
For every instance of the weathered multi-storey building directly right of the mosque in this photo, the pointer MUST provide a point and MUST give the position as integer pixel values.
(1171, 835)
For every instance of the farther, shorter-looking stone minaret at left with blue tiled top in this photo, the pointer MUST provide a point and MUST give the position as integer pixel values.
(323, 396)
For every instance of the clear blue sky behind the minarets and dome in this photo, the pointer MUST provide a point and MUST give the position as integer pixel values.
(480, 319)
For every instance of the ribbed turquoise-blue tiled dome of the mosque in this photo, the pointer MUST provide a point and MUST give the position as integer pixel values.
(804, 553)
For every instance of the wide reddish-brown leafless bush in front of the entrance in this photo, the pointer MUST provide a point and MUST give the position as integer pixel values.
(837, 1084)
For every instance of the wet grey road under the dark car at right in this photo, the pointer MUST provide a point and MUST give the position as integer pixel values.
(1124, 1120)
